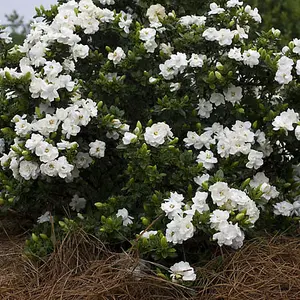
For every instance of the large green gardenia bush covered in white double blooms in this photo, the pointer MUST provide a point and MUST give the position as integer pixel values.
(162, 130)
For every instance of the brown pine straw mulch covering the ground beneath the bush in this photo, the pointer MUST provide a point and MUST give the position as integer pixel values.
(82, 268)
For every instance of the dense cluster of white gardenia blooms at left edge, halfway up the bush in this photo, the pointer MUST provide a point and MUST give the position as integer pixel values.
(37, 133)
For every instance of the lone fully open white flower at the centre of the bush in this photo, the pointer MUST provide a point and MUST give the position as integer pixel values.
(157, 134)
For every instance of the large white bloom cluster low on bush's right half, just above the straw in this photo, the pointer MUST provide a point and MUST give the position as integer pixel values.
(228, 200)
